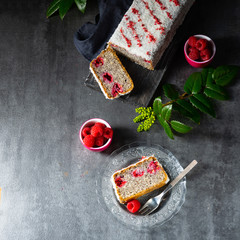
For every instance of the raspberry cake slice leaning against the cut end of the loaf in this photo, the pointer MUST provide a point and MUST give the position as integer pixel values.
(111, 75)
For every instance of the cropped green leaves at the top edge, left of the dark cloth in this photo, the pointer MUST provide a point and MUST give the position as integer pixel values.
(64, 5)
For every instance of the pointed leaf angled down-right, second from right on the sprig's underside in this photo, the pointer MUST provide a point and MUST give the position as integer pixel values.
(203, 104)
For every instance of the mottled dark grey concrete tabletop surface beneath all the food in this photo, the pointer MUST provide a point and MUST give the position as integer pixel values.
(48, 178)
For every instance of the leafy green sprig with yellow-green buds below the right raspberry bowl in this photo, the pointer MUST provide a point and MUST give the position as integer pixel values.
(198, 89)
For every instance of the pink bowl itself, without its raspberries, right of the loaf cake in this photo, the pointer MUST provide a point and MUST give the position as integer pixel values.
(200, 64)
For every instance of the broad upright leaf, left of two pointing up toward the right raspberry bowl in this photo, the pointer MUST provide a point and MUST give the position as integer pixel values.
(193, 84)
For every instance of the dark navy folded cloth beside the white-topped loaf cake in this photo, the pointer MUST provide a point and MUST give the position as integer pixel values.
(91, 38)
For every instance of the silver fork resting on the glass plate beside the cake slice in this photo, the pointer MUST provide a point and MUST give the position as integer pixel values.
(153, 203)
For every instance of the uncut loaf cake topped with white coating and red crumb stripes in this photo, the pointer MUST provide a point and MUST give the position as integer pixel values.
(147, 28)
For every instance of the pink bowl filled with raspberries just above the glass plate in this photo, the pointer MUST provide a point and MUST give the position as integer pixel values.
(96, 134)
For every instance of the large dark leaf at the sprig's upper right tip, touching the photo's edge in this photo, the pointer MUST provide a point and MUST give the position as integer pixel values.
(223, 75)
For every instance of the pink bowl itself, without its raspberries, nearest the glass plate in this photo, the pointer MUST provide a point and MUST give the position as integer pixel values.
(90, 123)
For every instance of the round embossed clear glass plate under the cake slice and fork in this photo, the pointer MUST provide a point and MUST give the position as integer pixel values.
(127, 155)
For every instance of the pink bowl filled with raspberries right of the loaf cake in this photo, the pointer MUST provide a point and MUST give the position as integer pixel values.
(199, 50)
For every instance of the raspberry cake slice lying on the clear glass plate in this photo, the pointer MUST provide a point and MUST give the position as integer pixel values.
(138, 179)
